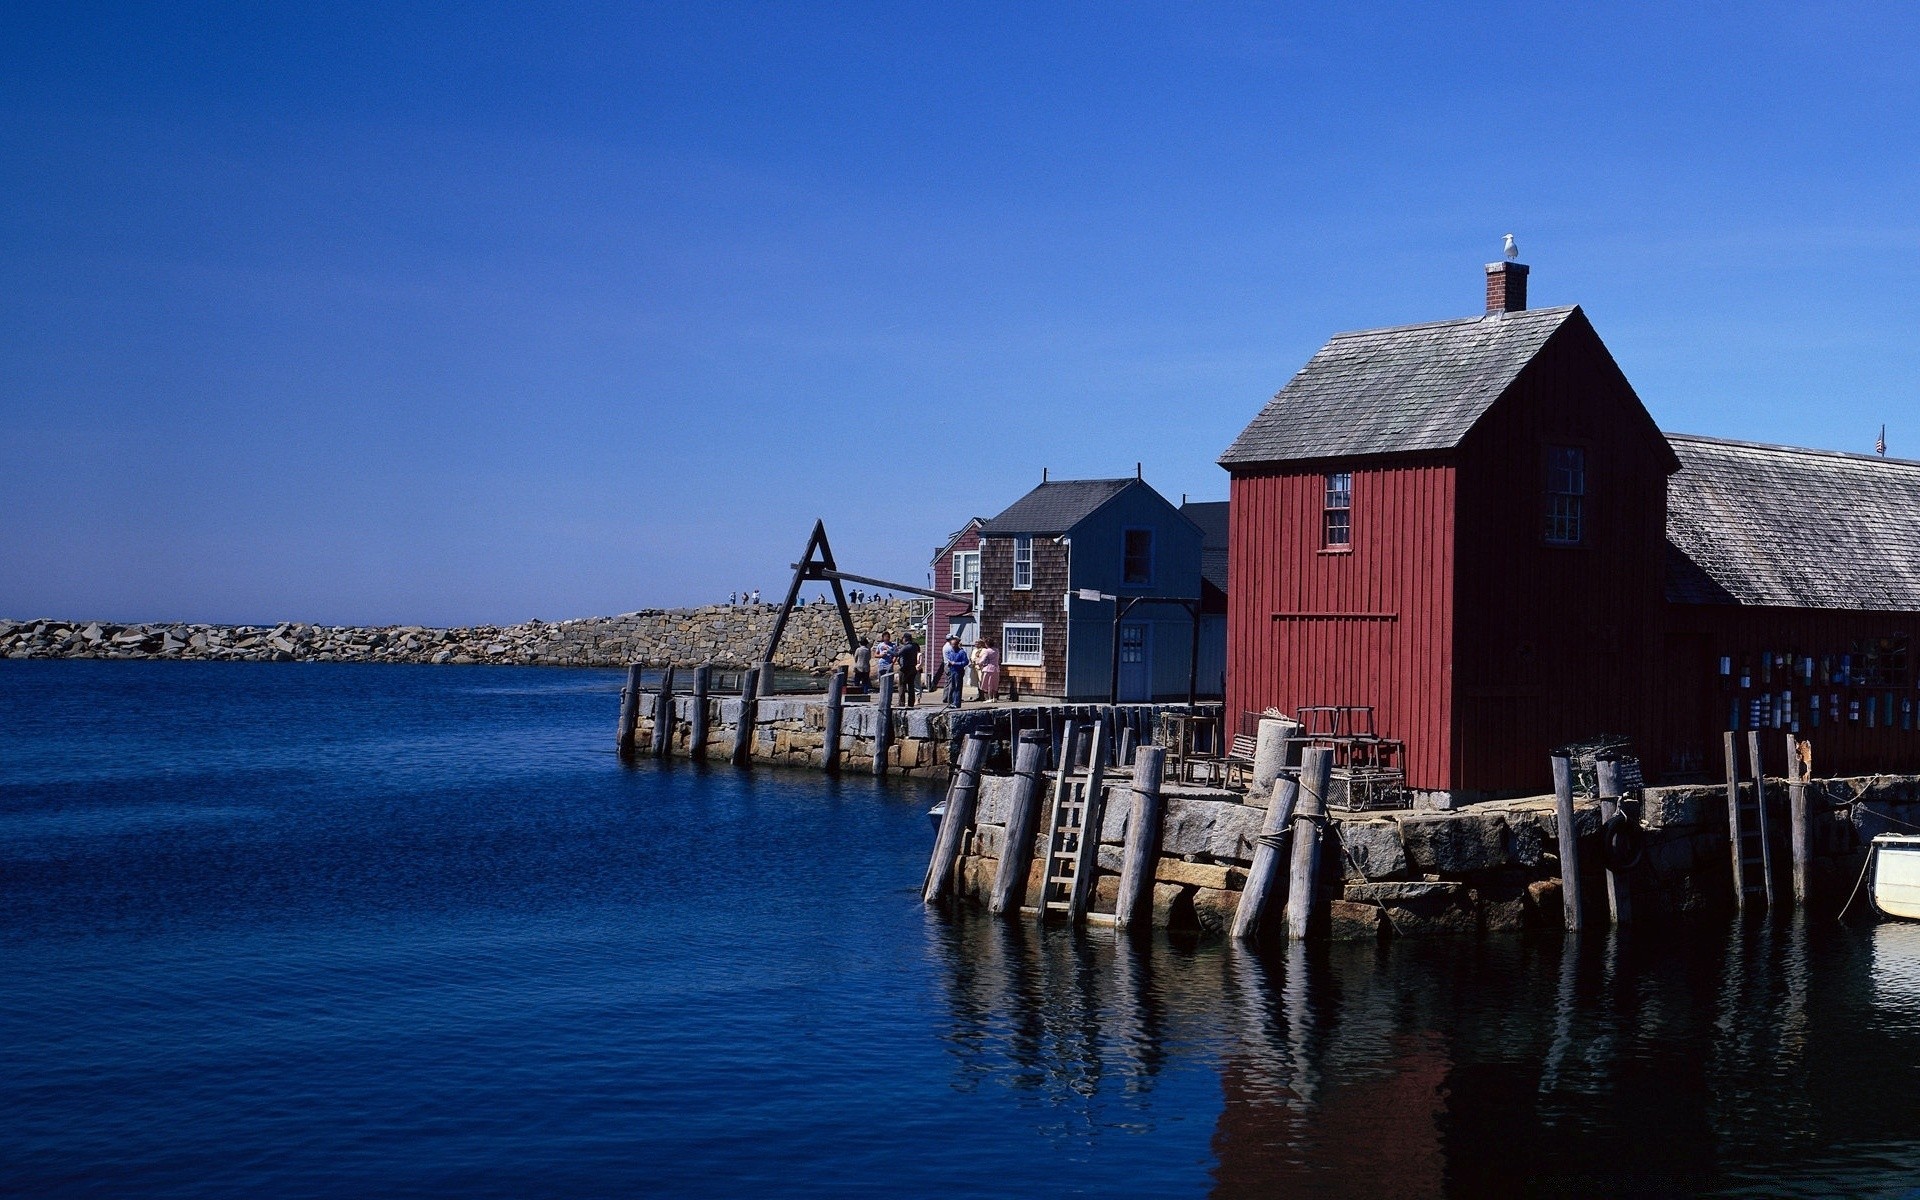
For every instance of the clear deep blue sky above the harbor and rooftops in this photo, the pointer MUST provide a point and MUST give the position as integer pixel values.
(475, 314)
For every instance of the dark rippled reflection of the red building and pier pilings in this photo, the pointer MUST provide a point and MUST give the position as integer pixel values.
(1727, 1057)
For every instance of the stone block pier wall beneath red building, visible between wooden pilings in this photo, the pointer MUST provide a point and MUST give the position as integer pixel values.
(1485, 869)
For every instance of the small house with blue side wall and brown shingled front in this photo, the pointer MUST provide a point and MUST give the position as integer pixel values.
(1103, 537)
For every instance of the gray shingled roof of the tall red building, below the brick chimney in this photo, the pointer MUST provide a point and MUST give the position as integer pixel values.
(1389, 391)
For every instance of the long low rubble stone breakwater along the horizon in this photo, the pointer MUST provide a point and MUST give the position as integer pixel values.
(719, 635)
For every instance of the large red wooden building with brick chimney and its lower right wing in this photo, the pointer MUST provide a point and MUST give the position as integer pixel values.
(1477, 529)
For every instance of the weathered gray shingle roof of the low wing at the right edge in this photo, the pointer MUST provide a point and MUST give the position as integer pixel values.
(1779, 525)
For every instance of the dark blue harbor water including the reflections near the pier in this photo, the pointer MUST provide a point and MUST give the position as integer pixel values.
(302, 930)
